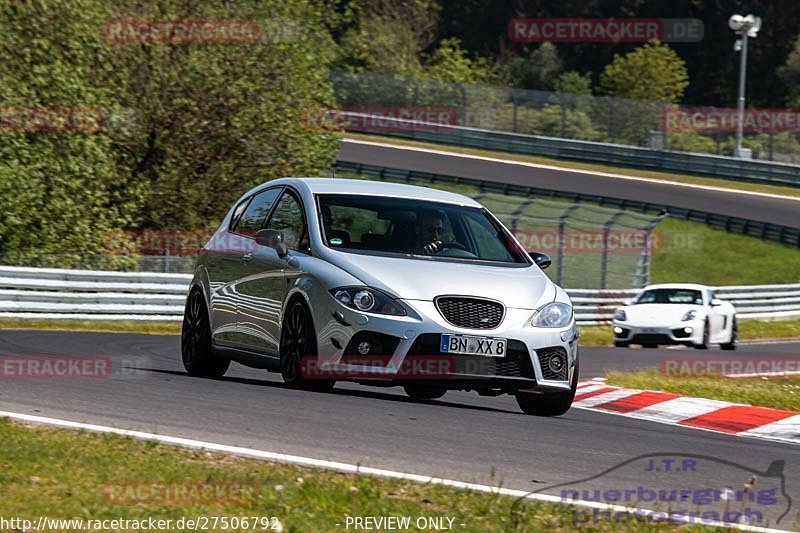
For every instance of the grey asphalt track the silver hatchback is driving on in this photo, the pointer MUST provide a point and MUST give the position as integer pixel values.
(463, 436)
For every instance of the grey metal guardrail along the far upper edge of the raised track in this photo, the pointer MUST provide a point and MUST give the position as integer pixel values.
(612, 154)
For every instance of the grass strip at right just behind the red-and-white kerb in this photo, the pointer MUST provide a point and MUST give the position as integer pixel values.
(776, 392)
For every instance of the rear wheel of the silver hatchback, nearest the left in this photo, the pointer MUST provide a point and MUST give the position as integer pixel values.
(197, 353)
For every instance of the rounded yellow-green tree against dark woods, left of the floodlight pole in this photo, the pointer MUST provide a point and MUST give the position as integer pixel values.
(651, 72)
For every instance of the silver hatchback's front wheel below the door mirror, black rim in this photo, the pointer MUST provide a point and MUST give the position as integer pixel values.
(298, 343)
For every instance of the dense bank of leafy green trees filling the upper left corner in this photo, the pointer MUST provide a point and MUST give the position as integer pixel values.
(187, 127)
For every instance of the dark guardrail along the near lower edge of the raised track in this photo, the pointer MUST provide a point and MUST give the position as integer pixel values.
(753, 228)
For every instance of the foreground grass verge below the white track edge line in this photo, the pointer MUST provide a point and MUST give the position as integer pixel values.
(63, 474)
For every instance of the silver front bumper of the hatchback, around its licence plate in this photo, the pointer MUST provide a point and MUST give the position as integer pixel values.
(408, 350)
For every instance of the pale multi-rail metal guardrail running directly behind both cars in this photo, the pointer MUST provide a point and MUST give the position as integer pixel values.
(101, 295)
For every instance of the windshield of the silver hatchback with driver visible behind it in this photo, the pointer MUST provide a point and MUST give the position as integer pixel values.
(382, 225)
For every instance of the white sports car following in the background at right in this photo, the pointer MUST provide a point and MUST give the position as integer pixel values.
(676, 313)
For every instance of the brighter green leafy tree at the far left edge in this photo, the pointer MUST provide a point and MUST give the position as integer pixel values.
(61, 187)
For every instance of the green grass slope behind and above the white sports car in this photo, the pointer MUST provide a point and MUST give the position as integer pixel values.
(696, 253)
